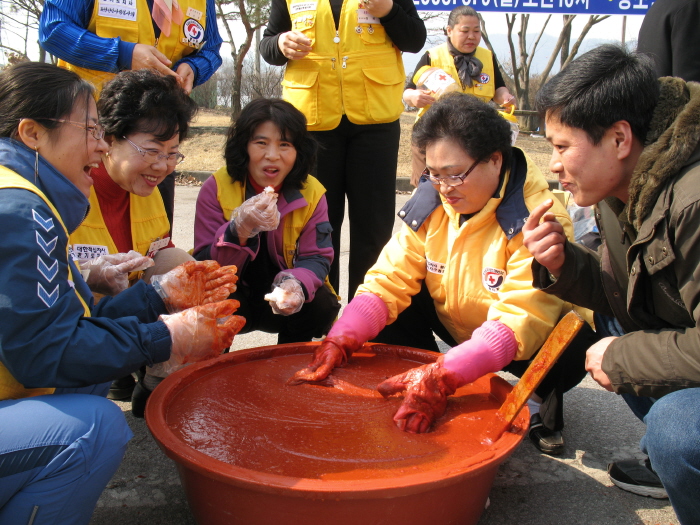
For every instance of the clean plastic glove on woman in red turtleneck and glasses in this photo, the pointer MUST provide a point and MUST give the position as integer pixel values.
(109, 274)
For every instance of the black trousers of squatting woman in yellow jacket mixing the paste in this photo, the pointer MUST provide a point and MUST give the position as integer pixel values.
(417, 325)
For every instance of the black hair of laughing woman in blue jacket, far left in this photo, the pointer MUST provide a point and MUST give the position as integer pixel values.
(40, 92)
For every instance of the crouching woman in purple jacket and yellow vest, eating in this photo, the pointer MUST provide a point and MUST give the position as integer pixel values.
(265, 214)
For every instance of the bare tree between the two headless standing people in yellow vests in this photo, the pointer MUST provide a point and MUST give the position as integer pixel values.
(253, 14)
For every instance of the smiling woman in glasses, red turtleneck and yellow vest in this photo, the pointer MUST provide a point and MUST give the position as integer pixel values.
(145, 117)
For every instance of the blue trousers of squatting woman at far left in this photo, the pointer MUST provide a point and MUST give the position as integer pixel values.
(57, 453)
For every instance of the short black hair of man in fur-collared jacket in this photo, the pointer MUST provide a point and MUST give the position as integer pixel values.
(601, 87)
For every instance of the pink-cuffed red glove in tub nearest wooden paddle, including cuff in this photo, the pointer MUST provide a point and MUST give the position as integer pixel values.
(491, 347)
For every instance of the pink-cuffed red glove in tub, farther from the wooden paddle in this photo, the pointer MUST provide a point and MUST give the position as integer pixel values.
(361, 321)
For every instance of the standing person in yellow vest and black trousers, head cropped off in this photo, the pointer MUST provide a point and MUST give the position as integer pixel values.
(344, 72)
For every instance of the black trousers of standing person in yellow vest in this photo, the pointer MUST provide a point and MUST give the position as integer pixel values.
(359, 162)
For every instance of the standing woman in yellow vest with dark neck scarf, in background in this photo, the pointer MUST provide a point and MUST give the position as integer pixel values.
(474, 69)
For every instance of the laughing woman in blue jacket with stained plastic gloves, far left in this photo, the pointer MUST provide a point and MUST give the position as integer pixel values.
(60, 440)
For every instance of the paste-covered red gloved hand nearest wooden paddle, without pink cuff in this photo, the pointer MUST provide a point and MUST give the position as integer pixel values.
(425, 400)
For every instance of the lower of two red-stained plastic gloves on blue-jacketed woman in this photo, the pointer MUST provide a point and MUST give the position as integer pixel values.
(199, 333)
